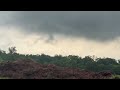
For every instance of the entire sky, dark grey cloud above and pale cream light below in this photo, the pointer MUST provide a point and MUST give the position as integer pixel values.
(61, 32)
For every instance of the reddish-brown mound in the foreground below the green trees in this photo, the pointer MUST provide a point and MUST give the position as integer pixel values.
(28, 69)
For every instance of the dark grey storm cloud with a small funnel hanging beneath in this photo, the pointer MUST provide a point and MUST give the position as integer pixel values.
(94, 25)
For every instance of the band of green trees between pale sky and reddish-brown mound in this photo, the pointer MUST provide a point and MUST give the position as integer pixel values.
(86, 63)
